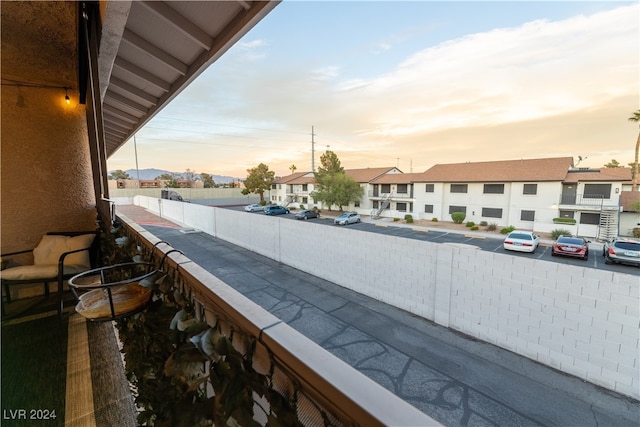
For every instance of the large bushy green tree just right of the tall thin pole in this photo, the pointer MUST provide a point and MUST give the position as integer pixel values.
(333, 186)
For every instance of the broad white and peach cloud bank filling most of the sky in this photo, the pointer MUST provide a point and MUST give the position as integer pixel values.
(542, 89)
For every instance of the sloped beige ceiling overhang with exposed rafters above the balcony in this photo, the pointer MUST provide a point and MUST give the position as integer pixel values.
(151, 50)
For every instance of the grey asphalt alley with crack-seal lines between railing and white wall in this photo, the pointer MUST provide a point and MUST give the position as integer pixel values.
(453, 378)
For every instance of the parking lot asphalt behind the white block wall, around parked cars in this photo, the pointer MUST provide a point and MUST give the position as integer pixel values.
(476, 240)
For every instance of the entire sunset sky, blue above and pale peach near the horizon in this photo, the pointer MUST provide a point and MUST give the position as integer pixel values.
(408, 84)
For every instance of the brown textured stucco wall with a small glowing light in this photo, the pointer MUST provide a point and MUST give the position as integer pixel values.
(46, 182)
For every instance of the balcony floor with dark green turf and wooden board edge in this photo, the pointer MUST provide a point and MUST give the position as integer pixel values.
(61, 372)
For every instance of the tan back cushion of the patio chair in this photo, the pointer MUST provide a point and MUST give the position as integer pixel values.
(51, 247)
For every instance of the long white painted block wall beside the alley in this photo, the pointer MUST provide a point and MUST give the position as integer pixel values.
(581, 321)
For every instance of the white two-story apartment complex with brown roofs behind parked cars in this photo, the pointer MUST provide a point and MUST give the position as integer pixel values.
(529, 194)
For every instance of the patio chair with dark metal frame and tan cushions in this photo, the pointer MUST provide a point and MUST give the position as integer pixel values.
(58, 257)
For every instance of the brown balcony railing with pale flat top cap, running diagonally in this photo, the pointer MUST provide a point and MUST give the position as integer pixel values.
(322, 389)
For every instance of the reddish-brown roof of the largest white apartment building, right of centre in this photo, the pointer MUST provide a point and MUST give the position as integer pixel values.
(553, 169)
